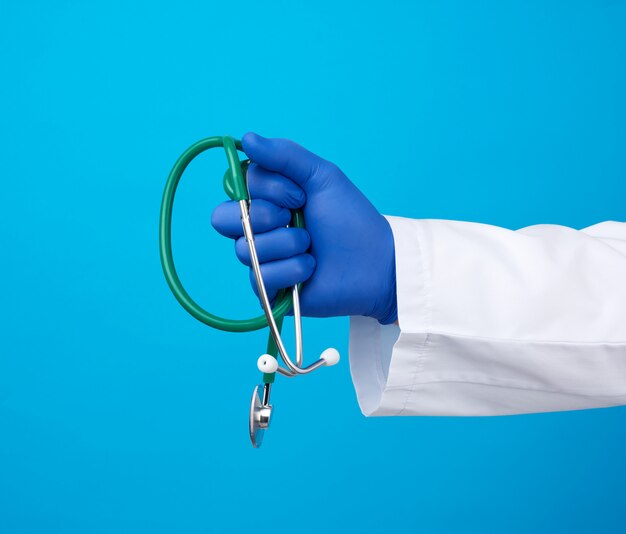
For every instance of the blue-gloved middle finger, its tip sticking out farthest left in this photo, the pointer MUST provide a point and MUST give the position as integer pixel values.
(264, 216)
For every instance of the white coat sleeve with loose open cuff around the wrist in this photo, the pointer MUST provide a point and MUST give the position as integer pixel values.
(493, 322)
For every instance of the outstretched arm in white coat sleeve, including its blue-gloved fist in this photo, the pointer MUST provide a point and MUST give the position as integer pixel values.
(447, 317)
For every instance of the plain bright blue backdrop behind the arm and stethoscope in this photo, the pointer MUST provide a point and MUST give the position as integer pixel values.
(119, 413)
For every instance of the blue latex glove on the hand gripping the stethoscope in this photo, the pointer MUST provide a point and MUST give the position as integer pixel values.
(346, 254)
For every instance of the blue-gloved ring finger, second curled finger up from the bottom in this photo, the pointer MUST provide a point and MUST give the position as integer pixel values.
(277, 244)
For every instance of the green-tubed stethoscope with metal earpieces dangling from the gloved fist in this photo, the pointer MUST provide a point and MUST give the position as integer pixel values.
(235, 185)
